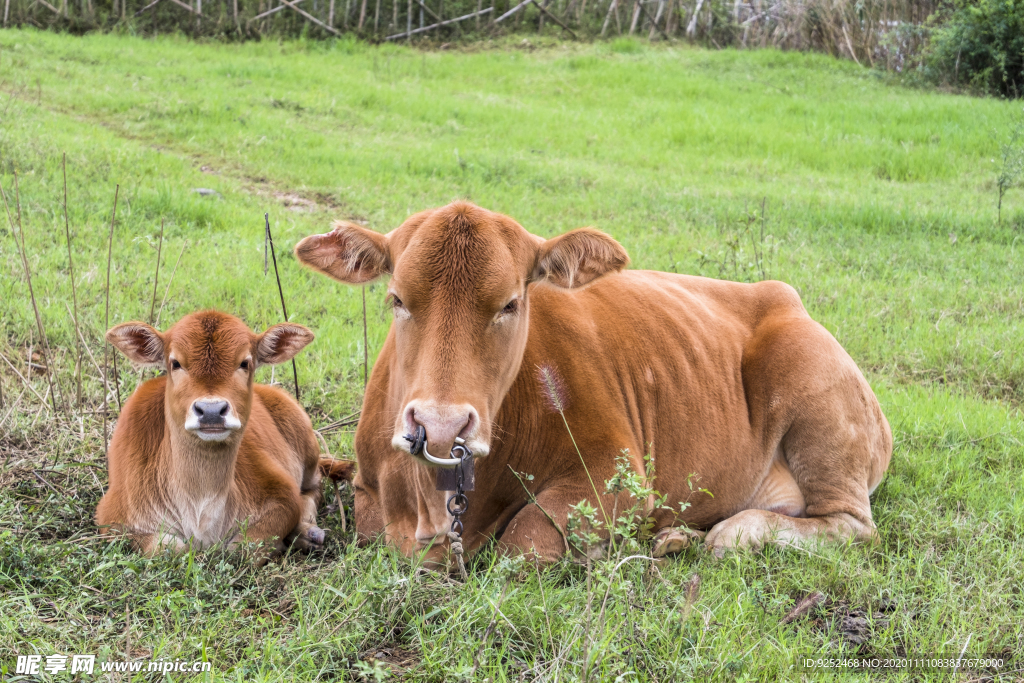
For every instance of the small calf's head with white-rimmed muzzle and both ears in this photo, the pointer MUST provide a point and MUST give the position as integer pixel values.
(210, 360)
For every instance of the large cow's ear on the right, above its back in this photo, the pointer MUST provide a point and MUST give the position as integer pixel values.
(579, 259)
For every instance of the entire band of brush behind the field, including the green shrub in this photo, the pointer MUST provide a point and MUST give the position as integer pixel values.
(976, 46)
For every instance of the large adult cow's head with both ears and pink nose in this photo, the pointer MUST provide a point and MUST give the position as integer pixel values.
(460, 278)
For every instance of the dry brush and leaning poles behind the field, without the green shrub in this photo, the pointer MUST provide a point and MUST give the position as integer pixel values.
(857, 30)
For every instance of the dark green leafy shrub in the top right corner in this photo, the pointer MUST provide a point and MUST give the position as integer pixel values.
(982, 45)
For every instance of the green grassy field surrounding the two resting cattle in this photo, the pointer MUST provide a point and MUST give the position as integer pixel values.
(876, 202)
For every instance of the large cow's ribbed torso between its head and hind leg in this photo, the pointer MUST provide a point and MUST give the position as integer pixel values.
(654, 363)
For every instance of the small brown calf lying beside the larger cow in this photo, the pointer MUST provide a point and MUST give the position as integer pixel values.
(202, 455)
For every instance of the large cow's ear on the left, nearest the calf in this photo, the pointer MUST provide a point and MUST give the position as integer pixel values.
(350, 253)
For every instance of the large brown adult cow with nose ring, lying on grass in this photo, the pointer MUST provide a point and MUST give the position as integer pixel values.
(732, 382)
